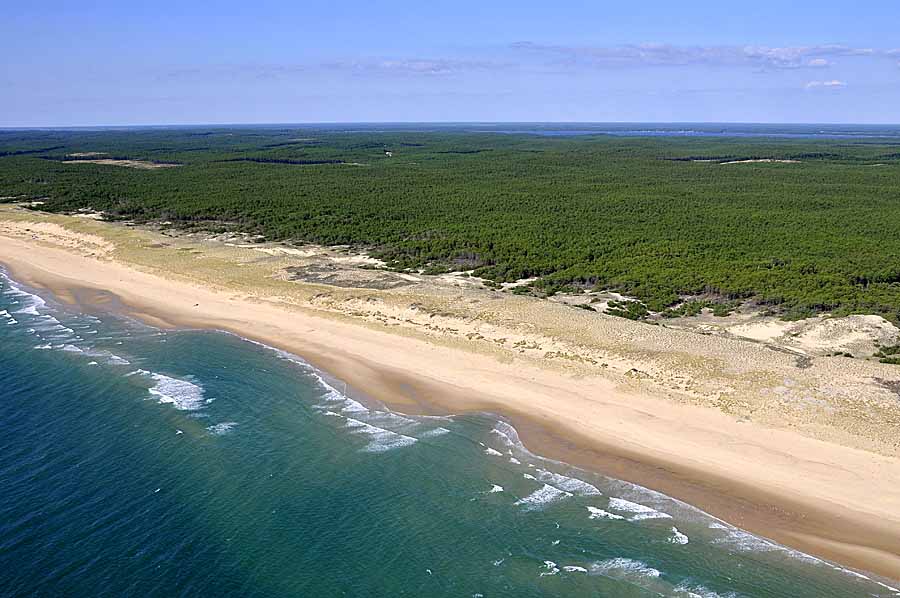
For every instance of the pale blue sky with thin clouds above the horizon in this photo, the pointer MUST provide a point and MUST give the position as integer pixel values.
(263, 61)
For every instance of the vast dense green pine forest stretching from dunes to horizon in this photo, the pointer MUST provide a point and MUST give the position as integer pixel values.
(797, 218)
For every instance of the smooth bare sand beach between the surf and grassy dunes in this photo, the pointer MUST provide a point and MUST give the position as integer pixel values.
(800, 492)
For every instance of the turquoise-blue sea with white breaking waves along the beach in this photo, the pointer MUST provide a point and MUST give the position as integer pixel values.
(141, 462)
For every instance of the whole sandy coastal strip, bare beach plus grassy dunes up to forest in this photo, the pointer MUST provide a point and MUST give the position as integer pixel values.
(804, 452)
